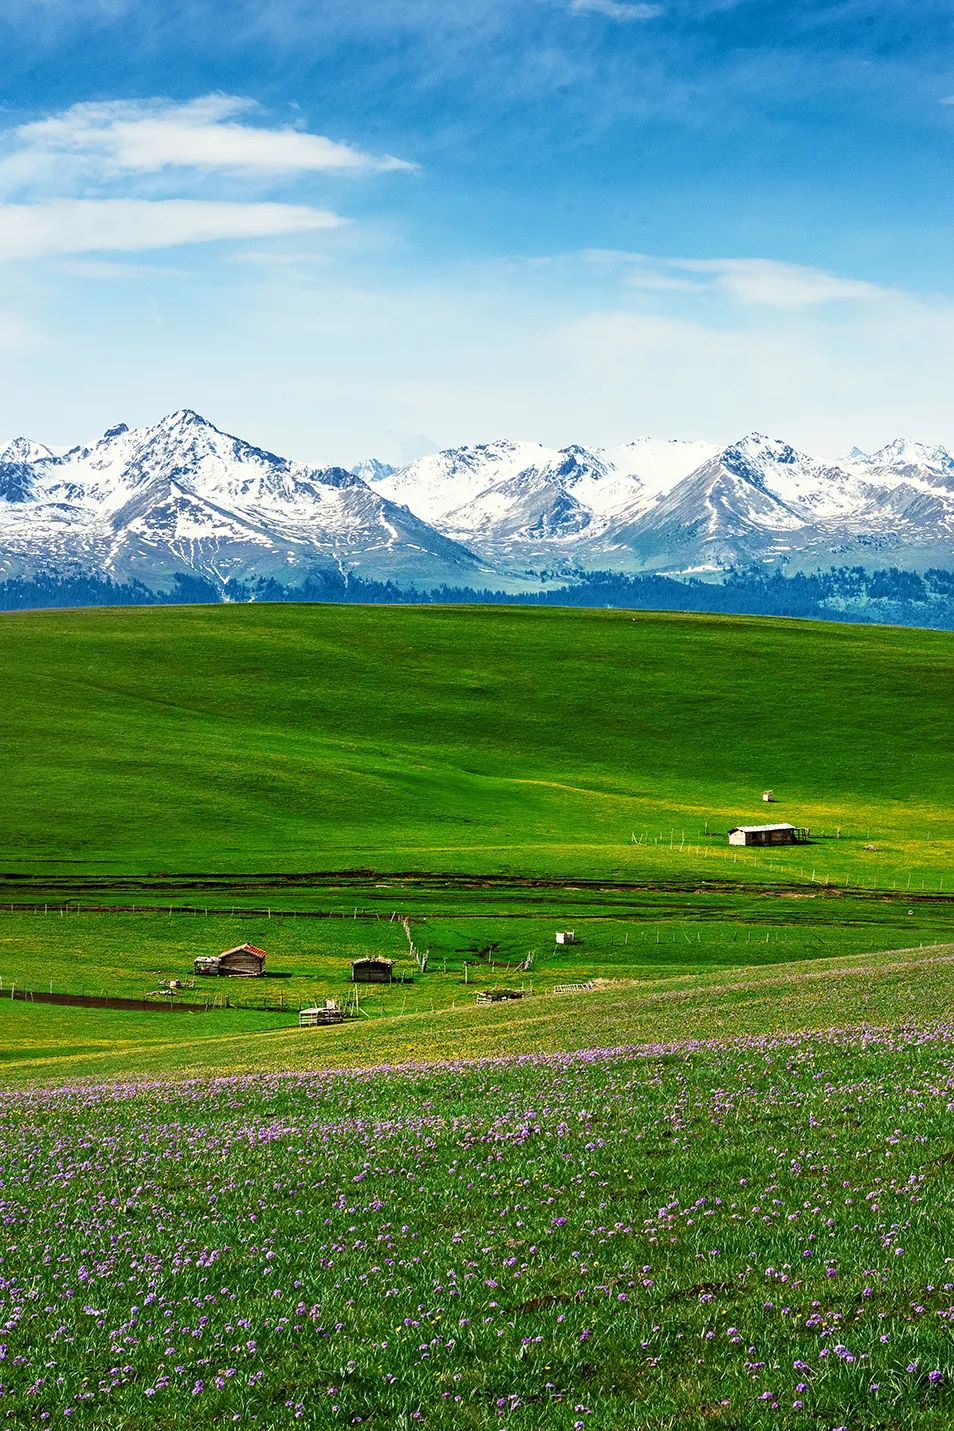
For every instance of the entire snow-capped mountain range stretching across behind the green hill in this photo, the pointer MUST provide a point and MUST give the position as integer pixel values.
(184, 497)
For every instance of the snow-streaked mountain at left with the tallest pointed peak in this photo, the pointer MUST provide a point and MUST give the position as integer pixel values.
(185, 497)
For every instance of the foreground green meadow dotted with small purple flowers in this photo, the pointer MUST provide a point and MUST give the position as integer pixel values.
(739, 1236)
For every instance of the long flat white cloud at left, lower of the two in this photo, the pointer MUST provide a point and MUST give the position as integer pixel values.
(61, 227)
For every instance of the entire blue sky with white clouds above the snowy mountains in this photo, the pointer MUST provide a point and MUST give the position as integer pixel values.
(353, 227)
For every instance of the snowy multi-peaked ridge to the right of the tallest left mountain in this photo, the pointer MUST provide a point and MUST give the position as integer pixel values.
(689, 506)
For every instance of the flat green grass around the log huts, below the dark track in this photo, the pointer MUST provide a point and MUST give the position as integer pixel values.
(481, 944)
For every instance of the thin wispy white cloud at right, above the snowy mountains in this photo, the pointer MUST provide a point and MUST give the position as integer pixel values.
(759, 283)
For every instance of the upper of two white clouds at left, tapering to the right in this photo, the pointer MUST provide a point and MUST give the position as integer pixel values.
(122, 138)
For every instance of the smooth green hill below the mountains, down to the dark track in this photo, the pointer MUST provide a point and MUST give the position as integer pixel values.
(292, 739)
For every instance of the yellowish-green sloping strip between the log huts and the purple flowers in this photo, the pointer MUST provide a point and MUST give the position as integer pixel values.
(56, 1045)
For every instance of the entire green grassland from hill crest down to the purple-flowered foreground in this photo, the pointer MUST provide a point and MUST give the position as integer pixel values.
(687, 1210)
